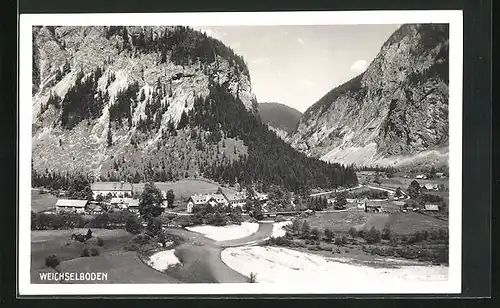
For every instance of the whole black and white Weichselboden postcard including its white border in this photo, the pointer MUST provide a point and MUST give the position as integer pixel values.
(233, 153)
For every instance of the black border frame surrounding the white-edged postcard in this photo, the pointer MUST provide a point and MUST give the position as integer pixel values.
(477, 104)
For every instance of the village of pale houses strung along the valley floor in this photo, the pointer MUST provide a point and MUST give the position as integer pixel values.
(119, 196)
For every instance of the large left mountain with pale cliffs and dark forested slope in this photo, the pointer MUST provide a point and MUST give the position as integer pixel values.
(155, 104)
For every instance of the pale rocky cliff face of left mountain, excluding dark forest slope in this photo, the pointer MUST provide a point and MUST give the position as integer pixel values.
(108, 94)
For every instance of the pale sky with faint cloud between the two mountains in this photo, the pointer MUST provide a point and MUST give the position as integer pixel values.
(297, 65)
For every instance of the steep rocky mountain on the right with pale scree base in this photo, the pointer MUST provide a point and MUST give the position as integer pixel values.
(395, 113)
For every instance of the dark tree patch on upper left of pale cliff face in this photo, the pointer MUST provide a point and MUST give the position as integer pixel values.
(83, 100)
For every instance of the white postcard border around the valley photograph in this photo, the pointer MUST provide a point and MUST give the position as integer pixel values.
(335, 286)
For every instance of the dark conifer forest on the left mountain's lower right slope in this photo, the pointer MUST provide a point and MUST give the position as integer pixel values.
(270, 160)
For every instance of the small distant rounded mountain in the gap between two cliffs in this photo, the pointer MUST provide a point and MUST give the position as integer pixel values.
(280, 118)
